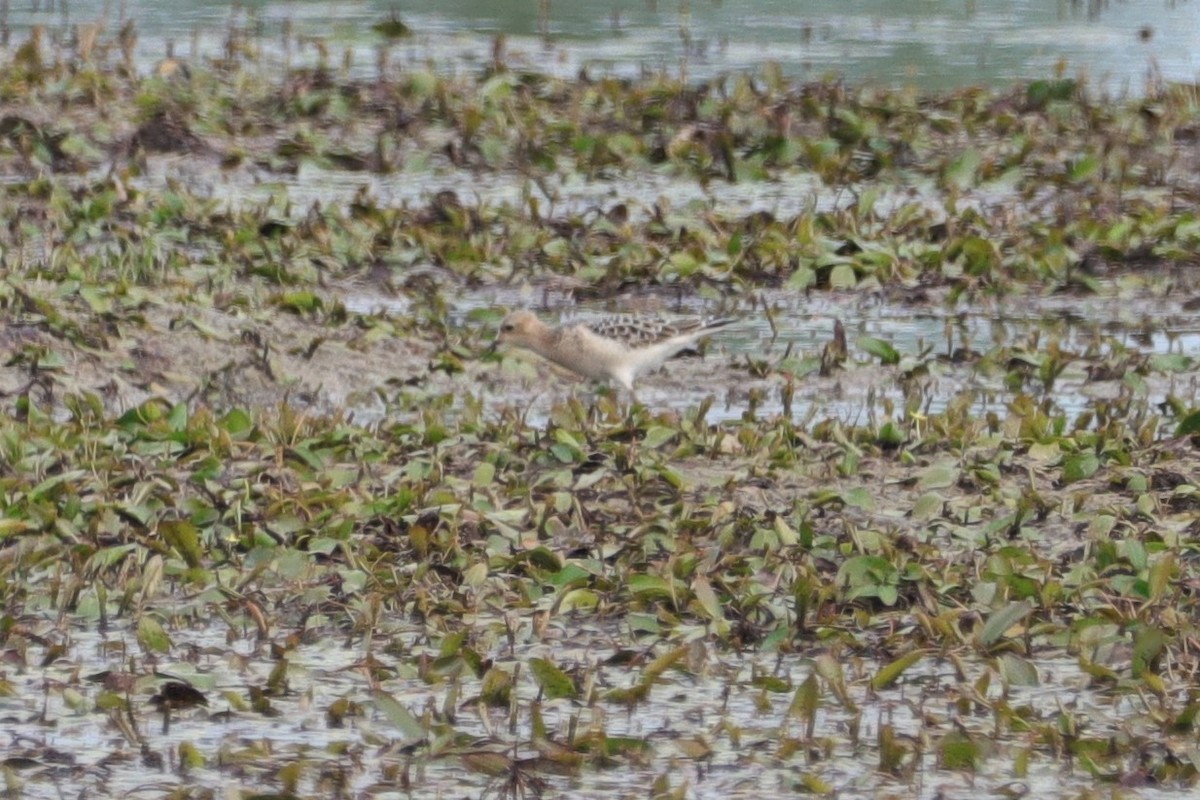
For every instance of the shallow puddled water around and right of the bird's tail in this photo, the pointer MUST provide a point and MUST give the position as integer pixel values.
(1109, 326)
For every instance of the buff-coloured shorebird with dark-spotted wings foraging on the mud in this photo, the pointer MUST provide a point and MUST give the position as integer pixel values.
(615, 350)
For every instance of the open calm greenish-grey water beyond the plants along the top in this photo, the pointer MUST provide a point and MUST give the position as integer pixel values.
(1119, 46)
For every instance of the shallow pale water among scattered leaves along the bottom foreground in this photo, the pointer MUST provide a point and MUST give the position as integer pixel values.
(716, 695)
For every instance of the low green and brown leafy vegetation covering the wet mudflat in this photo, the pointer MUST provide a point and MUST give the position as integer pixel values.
(212, 573)
